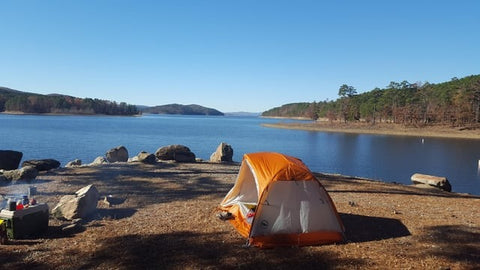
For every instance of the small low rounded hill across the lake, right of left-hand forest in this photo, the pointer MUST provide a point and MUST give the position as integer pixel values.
(192, 109)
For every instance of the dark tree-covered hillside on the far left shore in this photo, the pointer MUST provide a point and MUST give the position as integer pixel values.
(17, 101)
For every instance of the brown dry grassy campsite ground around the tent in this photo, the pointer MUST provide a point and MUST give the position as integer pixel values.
(165, 219)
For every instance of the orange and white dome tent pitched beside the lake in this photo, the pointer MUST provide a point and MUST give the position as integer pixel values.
(277, 201)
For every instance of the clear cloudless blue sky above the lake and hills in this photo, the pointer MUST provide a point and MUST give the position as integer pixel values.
(247, 55)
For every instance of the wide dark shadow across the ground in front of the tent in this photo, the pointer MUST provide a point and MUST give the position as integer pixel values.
(180, 250)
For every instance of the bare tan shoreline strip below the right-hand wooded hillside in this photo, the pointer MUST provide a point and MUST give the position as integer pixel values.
(381, 129)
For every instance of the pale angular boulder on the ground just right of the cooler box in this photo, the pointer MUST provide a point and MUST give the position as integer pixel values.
(80, 205)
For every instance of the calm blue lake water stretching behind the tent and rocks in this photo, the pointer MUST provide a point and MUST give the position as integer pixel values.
(387, 158)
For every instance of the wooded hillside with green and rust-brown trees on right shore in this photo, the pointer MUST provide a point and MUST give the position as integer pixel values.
(455, 103)
